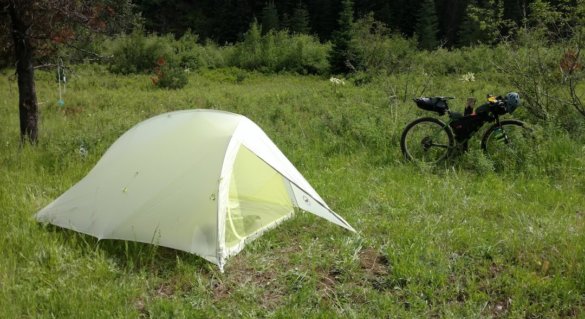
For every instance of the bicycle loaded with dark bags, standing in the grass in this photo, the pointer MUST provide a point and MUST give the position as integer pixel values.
(430, 140)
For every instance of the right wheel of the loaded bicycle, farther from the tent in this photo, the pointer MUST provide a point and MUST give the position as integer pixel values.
(509, 145)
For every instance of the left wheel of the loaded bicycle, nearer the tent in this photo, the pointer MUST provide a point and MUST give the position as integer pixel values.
(427, 140)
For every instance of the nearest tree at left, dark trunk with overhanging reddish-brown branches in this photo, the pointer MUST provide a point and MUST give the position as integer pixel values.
(37, 26)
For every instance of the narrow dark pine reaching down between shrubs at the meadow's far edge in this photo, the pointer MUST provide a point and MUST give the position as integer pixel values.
(340, 59)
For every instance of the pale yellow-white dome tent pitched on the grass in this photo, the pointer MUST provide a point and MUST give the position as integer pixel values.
(202, 181)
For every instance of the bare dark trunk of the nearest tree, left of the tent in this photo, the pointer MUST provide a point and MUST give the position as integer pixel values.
(27, 97)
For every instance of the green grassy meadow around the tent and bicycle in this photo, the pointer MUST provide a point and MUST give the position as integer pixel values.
(457, 240)
